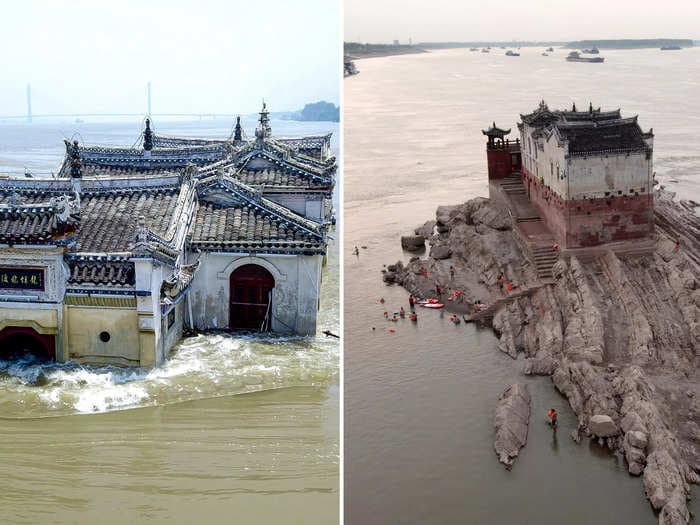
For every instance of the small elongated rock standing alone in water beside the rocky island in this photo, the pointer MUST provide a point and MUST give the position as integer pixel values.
(511, 423)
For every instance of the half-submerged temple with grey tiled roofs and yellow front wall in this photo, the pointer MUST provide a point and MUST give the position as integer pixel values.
(109, 262)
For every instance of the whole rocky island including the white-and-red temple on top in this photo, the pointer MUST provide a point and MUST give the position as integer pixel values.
(612, 318)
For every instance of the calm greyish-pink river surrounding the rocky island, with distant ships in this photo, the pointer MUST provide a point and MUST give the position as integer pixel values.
(419, 402)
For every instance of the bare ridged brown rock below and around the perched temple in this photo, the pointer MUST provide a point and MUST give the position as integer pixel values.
(619, 334)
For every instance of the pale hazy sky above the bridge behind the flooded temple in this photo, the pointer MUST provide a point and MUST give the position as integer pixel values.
(200, 55)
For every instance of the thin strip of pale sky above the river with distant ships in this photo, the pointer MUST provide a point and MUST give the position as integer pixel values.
(382, 21)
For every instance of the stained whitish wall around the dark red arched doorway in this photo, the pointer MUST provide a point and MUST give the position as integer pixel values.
(294, 297)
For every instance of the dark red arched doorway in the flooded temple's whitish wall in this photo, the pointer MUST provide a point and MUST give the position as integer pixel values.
(250, 305)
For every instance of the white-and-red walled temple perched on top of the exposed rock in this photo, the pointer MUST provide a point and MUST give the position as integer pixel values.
(587, 174)
